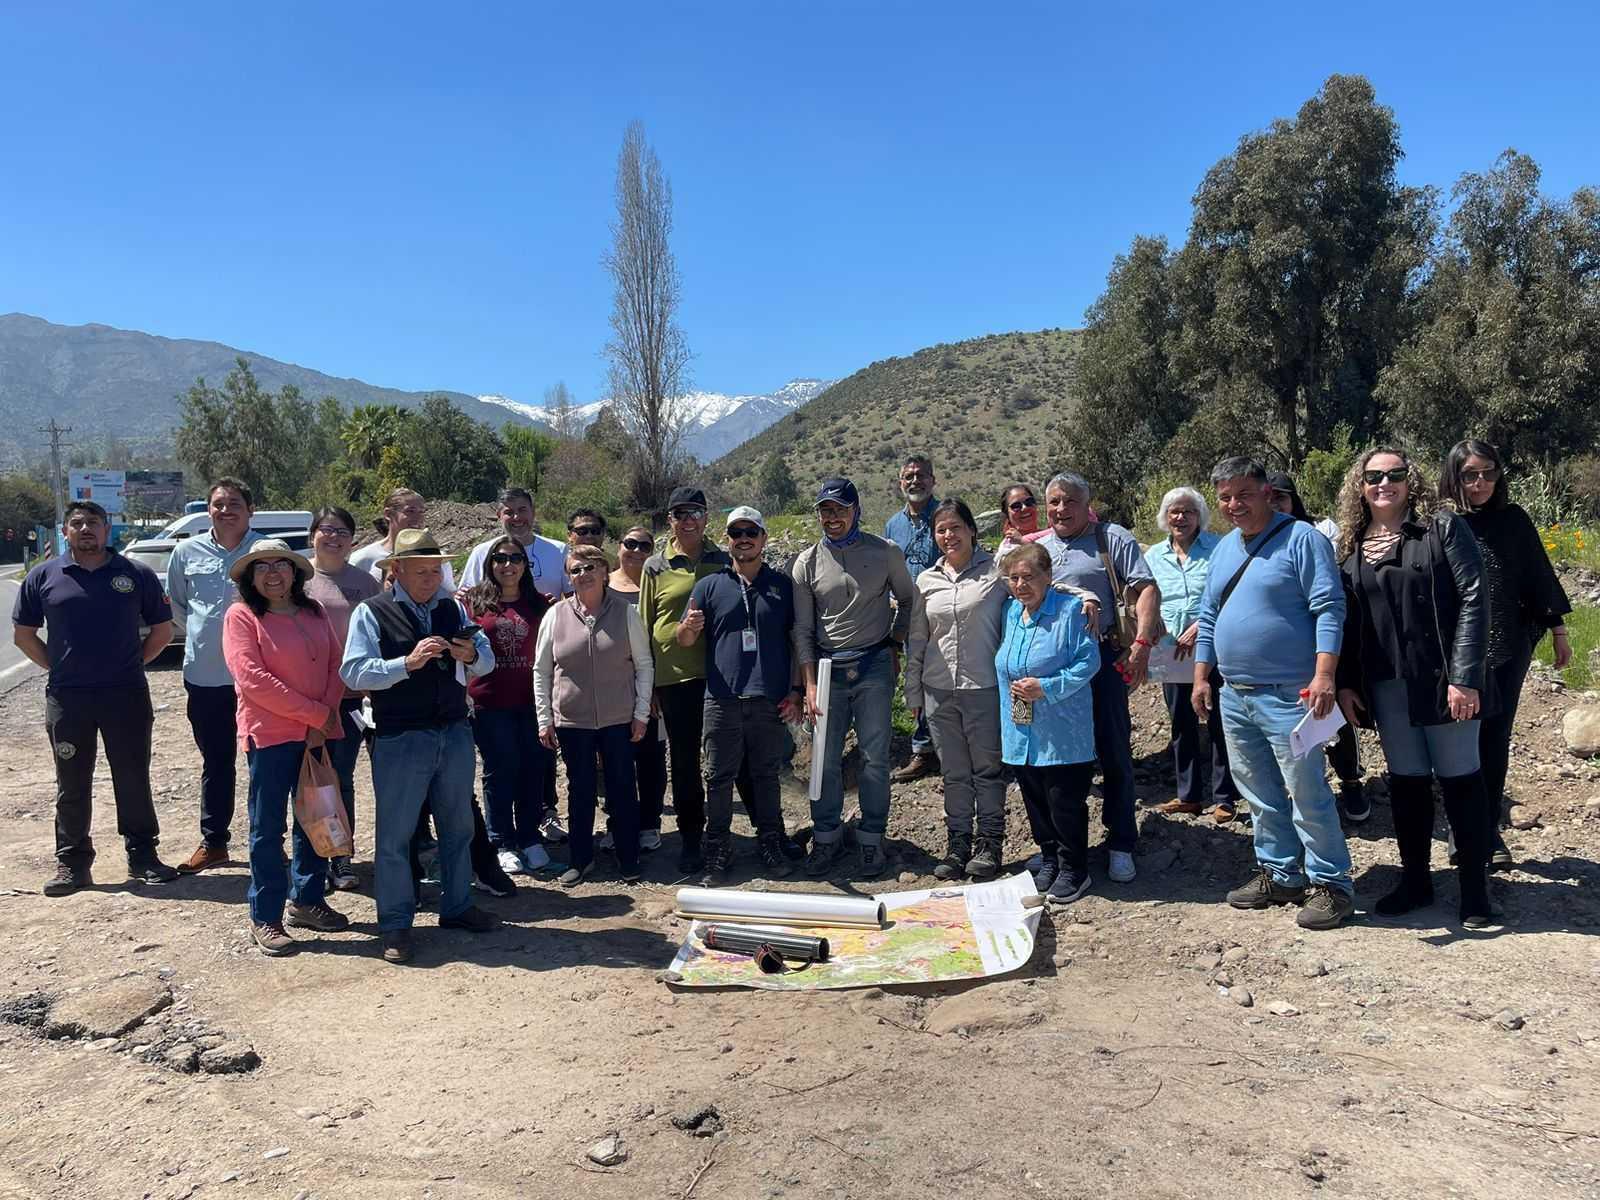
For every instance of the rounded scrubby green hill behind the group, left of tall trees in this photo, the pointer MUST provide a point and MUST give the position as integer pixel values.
(985, 410)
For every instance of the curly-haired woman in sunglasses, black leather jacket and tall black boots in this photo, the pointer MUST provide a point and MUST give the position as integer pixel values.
(1414, 663)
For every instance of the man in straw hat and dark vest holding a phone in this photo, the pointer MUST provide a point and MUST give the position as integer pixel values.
(414, 649)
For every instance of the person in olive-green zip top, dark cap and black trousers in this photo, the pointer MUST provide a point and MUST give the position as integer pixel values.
(681, 671)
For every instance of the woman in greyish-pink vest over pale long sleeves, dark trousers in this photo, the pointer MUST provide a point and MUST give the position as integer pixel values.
(593, 676)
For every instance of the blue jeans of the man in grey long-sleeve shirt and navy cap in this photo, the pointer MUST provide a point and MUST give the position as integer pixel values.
(863, 702)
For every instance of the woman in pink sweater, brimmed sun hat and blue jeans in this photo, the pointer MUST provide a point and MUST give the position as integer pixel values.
(284, 657)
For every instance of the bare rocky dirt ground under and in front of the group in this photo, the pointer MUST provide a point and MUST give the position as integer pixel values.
(1417, 1062)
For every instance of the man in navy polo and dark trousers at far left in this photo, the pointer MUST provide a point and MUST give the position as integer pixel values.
(92, 604)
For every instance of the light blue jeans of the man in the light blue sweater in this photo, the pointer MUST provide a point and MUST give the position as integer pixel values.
(1290, 802)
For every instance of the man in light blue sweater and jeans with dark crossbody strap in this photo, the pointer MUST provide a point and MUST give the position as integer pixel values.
(1276, 642)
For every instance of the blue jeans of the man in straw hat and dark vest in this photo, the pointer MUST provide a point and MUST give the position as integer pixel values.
(410, 769)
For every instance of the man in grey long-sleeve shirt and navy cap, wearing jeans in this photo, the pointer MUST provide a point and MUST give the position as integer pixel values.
(844, 612)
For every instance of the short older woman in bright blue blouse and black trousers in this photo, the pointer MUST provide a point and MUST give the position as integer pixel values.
(1047, 718)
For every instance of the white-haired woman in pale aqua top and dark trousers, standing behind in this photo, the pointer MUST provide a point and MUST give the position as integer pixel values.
(1182, 566)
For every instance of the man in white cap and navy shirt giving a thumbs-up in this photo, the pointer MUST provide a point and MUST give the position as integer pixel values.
(748, 615)
